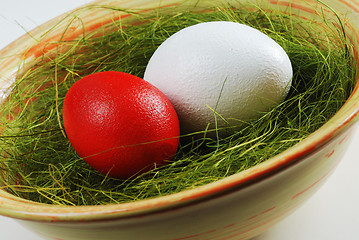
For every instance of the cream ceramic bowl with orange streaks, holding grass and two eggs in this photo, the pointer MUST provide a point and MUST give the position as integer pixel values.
(238, 207)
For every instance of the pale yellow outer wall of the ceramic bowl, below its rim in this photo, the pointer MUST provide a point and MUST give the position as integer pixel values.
(238, 214)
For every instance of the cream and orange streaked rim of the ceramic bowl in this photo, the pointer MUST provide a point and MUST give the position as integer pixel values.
(16, 207)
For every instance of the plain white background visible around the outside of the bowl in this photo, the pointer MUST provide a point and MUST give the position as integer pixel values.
(332, 214)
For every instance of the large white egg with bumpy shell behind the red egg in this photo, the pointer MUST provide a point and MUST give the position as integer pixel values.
(220, 70)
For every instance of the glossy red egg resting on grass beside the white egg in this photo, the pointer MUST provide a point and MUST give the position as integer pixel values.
(120, 124)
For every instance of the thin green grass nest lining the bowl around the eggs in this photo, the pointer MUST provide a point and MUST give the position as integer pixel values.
(38, 163)
